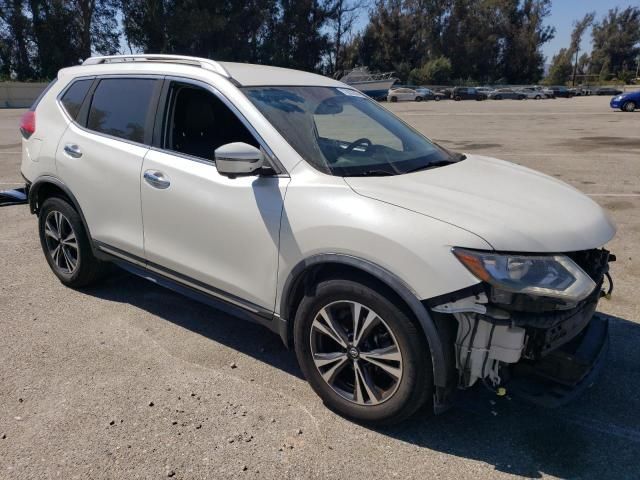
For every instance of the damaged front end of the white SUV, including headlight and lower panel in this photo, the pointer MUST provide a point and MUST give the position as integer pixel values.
(529, 325)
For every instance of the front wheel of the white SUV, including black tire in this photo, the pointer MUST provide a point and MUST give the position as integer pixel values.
(394, 399)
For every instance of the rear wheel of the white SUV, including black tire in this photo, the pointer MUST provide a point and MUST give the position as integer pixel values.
(74, 263)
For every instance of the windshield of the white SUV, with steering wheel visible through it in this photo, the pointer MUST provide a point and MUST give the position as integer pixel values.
(342, 132)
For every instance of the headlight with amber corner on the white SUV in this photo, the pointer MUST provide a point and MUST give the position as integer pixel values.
(554, 276)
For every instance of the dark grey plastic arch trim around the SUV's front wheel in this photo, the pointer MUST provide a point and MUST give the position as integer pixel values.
(309, 271)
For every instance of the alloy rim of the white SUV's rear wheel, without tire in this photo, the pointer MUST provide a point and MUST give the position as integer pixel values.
(61, 241)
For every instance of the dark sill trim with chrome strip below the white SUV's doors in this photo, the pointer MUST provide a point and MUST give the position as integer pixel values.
(188, 287)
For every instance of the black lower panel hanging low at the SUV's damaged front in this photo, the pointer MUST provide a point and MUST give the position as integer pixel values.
(565, 373)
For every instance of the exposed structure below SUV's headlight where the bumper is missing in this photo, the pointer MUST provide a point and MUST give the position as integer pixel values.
(502, 334)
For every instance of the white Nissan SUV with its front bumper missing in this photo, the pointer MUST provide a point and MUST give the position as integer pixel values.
(400, 271)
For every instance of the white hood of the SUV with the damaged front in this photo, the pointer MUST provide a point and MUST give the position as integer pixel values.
(511, 207)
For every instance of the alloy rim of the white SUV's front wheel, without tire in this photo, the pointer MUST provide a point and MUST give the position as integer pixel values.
(356, 353)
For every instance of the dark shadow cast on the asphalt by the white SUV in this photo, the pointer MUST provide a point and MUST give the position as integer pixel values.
(595, 436)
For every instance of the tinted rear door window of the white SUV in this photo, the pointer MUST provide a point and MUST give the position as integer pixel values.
(122, 107)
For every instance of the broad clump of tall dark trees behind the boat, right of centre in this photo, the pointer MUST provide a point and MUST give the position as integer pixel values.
(484, 40)
